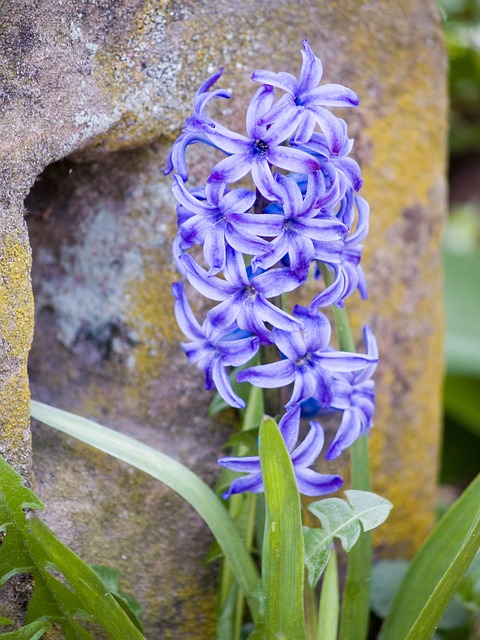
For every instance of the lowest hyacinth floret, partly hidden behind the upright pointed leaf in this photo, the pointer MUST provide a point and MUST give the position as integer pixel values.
(309, 482)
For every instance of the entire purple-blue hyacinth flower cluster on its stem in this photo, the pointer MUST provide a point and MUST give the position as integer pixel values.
(258, 244)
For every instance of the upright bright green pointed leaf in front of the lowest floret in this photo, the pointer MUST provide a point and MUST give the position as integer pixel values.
(283, 556)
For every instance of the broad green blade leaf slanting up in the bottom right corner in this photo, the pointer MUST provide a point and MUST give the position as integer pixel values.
(436, 570)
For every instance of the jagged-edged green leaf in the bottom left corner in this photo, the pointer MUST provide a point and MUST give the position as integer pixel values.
(29, 546)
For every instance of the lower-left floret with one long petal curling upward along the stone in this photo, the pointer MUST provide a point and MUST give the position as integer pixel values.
(212, 349)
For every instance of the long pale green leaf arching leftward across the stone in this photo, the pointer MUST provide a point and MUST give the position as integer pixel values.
(174, 475)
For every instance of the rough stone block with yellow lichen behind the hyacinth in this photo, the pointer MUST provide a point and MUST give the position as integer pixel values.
(91, 95)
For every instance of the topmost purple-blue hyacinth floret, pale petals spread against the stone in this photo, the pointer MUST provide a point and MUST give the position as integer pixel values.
(306, 99)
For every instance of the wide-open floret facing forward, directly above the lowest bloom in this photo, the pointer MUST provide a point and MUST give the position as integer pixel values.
(308, 361)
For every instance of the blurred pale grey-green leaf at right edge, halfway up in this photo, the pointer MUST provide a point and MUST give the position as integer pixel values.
(462, 306)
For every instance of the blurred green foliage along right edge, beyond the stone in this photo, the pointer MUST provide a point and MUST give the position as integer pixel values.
(461, 447)
